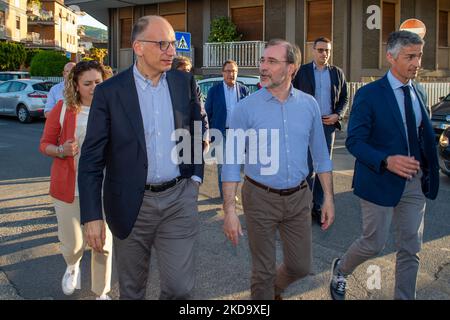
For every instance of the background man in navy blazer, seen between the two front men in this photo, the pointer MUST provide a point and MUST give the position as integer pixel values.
(220, 103)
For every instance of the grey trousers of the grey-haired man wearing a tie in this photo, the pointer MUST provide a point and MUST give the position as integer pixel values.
(407, 219)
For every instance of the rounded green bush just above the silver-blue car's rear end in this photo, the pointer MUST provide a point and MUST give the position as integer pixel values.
(48, 64)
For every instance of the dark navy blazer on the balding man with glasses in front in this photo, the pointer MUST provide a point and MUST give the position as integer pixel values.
(115, 141)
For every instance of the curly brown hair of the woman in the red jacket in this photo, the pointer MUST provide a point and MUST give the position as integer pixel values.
(71, 94)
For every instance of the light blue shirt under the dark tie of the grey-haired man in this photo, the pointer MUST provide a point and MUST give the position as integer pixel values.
(400, 97)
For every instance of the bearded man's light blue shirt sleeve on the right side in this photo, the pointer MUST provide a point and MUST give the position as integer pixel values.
(318, 144)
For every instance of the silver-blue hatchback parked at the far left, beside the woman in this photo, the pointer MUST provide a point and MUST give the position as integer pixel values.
(24, 98)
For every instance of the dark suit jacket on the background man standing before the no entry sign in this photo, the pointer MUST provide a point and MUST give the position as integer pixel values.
(304, 81)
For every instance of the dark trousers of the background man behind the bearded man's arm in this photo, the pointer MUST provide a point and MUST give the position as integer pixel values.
(313, 179)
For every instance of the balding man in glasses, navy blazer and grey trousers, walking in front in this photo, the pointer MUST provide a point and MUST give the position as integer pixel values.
(150, 200)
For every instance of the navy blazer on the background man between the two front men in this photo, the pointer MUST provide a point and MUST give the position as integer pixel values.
(216, 107)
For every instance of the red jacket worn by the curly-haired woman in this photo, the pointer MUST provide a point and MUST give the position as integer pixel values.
(63, 172)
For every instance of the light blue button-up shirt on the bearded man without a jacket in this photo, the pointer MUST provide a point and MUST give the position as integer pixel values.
(293, 125)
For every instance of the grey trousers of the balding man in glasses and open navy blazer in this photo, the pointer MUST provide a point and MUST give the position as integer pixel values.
(168, 221)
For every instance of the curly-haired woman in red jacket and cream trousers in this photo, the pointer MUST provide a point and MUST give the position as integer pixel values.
(63, 136)
